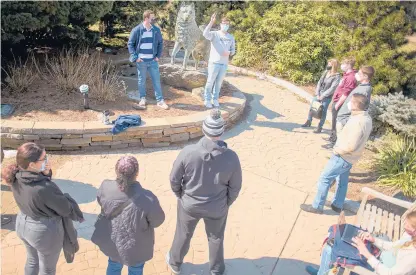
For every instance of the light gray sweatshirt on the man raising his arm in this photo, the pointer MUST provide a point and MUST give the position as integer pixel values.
(220, 43)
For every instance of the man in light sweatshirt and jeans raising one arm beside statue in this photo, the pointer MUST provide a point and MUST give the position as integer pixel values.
(222, 47)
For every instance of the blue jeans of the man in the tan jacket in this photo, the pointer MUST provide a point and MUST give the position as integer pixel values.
(336, 169)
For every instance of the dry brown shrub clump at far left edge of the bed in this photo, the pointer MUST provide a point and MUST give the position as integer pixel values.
(21, 75)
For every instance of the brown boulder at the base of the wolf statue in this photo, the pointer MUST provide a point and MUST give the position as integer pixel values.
(175, 76)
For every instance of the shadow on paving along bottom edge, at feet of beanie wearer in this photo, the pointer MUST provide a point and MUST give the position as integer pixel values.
(260, 266)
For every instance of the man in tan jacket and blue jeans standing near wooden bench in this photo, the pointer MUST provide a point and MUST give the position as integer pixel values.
(347, 150)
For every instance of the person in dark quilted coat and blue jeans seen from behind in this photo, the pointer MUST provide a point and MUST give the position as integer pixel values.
(124, 230)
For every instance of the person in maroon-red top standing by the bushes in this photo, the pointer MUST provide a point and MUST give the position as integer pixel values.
(347, 84)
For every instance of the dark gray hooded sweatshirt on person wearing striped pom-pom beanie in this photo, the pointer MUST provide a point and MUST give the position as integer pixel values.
(206, 177)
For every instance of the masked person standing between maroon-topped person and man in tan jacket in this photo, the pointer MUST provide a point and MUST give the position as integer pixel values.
(363, 76)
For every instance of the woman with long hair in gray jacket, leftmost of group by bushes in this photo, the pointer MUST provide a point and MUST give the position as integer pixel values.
(326, 87)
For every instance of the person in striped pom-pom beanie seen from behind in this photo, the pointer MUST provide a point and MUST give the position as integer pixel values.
(206, 178)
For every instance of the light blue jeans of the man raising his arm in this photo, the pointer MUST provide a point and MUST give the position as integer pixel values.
(216, 74)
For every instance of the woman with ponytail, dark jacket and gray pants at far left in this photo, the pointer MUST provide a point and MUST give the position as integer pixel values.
(42, 206)
